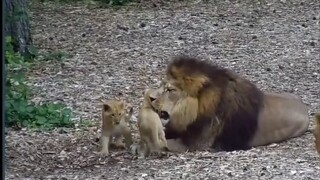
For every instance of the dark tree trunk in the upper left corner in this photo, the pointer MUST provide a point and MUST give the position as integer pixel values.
(17, 25)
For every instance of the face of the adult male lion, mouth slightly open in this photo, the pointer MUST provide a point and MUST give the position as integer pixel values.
(166, 98)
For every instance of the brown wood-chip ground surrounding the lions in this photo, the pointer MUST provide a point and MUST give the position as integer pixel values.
(118, 53)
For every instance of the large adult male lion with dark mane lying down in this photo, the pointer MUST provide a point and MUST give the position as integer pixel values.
(212, 107)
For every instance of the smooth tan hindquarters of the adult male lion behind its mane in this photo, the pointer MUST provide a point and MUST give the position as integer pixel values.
(283, 116)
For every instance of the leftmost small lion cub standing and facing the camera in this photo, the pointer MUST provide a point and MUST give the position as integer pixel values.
(114, 125)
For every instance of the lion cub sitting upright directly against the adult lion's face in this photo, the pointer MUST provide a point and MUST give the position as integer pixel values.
(152, 137)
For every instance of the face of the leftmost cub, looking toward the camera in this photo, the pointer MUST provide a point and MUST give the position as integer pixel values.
(113, 112)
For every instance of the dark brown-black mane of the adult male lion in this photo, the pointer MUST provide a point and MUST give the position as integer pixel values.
(238, 107)
